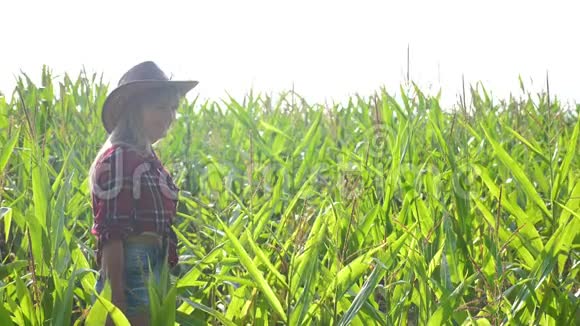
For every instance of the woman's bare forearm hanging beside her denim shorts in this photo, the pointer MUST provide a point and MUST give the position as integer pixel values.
(112, 262)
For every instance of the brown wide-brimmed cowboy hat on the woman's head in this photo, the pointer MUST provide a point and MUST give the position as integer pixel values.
(143, 77)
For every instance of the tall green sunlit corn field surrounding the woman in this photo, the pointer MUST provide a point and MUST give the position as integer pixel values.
(385, 210)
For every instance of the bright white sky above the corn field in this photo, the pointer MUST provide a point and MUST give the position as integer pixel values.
(327, 49)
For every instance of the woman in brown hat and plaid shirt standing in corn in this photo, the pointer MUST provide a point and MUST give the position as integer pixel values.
(133, 196)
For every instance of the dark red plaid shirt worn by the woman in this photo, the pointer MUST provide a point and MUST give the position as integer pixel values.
(132, 194)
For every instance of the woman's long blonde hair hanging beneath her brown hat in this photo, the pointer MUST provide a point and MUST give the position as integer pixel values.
(129, 131)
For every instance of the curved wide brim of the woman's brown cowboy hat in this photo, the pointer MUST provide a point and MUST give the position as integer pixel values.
(114, 103)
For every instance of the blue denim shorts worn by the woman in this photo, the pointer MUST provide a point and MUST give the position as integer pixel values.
(138, 256)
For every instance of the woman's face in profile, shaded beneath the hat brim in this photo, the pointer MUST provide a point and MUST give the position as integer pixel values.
(158, 116)
